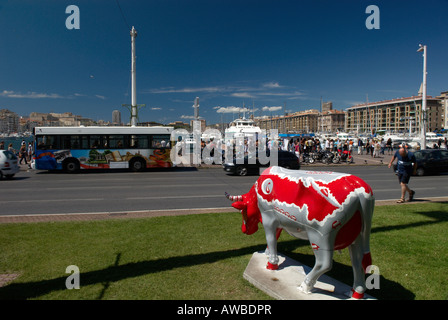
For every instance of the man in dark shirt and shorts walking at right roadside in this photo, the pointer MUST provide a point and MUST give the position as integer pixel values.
(406, 165)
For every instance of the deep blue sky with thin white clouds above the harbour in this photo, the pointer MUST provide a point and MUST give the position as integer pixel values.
(271, 56)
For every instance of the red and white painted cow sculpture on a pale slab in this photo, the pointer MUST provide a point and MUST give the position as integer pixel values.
(332, 210)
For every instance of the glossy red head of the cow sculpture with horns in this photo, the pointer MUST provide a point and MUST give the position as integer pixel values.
(248, 205)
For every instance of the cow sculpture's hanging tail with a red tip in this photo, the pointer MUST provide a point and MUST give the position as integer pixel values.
(367, 206)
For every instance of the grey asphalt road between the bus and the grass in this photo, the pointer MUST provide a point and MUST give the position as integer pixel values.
(184, 188)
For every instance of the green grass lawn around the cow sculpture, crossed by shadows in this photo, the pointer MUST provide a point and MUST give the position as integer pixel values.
(204, 256)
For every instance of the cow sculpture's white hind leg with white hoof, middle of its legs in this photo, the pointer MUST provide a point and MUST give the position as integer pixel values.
(324, 260)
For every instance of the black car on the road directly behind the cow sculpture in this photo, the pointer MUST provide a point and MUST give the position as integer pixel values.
(285, 159)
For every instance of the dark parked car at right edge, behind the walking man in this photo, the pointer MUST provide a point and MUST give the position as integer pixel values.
(431, 161)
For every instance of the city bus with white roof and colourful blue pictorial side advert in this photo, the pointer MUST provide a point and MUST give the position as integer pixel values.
(76, 148)
